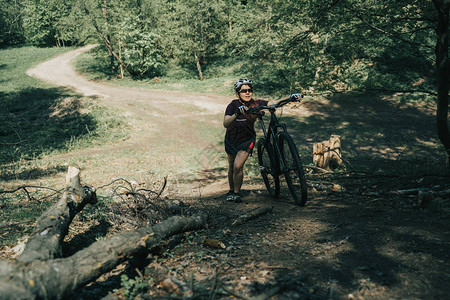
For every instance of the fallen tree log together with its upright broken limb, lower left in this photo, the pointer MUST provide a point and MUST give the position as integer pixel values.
(45, 276)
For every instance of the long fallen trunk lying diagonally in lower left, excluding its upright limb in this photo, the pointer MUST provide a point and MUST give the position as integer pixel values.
(58, 278)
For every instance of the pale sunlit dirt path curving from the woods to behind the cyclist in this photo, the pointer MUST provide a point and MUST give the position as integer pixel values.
(59, 71)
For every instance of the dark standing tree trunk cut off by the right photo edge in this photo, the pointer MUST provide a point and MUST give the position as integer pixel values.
(443, 71)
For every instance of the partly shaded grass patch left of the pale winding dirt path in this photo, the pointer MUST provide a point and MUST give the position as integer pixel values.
(38, 120)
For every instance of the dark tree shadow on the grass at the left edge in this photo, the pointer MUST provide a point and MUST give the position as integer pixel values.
(36, 121)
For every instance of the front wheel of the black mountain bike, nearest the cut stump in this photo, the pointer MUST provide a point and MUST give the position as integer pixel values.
(293, 169)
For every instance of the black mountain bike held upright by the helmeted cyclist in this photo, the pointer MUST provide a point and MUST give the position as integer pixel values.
(278, 154)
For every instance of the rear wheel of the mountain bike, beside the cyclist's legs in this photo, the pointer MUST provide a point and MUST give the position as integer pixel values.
(266, 160)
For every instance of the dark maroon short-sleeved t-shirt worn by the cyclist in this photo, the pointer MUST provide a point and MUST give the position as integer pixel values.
(243, 129)
